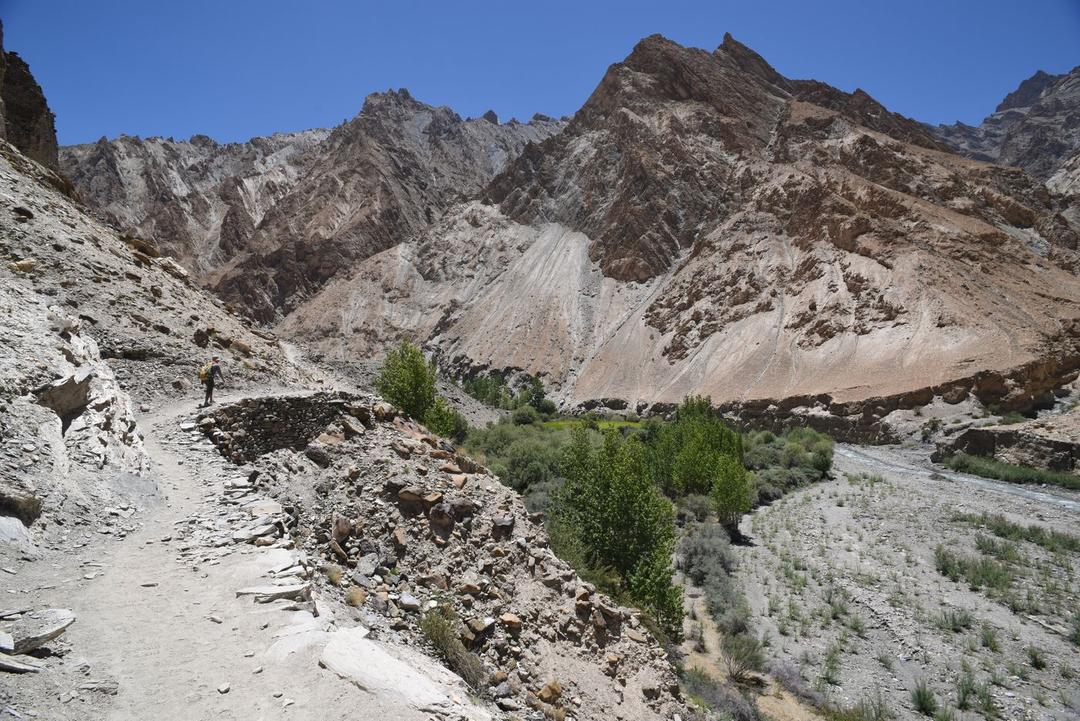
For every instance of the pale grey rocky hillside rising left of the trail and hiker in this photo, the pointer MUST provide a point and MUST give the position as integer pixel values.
(85, 311)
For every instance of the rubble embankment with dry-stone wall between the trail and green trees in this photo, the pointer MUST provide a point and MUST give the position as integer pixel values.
(402, 525)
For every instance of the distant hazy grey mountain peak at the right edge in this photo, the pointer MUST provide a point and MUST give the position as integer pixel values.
(1035, 128)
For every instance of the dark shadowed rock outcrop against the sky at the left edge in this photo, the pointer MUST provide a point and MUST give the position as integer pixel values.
(28, 123)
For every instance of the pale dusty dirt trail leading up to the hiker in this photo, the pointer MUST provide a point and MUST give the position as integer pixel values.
(160, 617)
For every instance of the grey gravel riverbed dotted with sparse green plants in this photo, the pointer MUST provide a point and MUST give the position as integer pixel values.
(847, 581)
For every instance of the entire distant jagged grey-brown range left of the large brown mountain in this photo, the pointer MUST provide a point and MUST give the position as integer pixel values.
(266, 223)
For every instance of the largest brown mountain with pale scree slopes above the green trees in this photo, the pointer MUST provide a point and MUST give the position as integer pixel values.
(698, 228)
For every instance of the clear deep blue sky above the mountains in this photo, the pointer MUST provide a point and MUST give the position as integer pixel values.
(238, 69)
